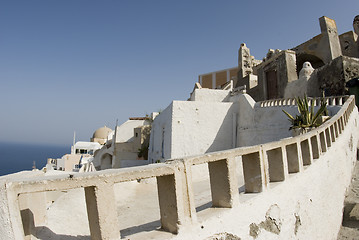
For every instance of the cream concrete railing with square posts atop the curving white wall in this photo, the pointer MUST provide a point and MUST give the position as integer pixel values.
(262, 164)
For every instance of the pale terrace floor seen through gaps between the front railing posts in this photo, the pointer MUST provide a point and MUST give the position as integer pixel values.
(137, 207)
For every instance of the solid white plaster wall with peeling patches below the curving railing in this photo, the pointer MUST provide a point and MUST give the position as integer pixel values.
(307, 205)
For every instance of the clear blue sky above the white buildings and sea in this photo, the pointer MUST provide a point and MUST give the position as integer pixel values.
(76, 65)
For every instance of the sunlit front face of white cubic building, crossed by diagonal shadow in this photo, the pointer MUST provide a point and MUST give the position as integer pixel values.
(200, 127)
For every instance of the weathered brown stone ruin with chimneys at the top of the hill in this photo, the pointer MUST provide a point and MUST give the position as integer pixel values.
(334, 57)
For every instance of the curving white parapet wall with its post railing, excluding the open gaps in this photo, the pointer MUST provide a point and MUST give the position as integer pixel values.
(294, 188)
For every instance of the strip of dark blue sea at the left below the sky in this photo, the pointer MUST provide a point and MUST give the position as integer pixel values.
(15, 157)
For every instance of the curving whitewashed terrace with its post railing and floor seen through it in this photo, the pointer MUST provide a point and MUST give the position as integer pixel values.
(288, 189)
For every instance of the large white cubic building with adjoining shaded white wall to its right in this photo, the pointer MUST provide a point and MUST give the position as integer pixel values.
(188, 128)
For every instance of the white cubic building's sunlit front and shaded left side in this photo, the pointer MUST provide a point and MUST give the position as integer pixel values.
(191, 127)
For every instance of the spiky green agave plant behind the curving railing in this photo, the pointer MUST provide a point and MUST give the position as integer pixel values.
(307, 118)
